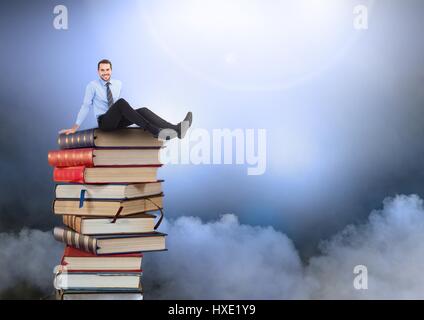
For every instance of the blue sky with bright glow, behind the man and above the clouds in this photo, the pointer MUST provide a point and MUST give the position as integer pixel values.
(342, 107)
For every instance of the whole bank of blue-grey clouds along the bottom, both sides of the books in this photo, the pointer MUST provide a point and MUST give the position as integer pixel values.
(224, 259)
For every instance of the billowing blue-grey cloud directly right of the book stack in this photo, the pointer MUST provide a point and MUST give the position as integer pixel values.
(223, 260)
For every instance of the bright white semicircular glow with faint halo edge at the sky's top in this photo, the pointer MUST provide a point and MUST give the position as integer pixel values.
(252, 44)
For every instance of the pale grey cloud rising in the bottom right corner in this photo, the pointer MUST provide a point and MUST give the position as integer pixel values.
(391, 245)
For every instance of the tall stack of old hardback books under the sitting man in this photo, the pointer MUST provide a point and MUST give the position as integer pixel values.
(106, 191)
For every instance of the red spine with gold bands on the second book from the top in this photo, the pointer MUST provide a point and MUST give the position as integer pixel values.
(71, 158)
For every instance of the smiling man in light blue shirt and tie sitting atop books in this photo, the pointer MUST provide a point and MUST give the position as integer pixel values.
(113, 112)
